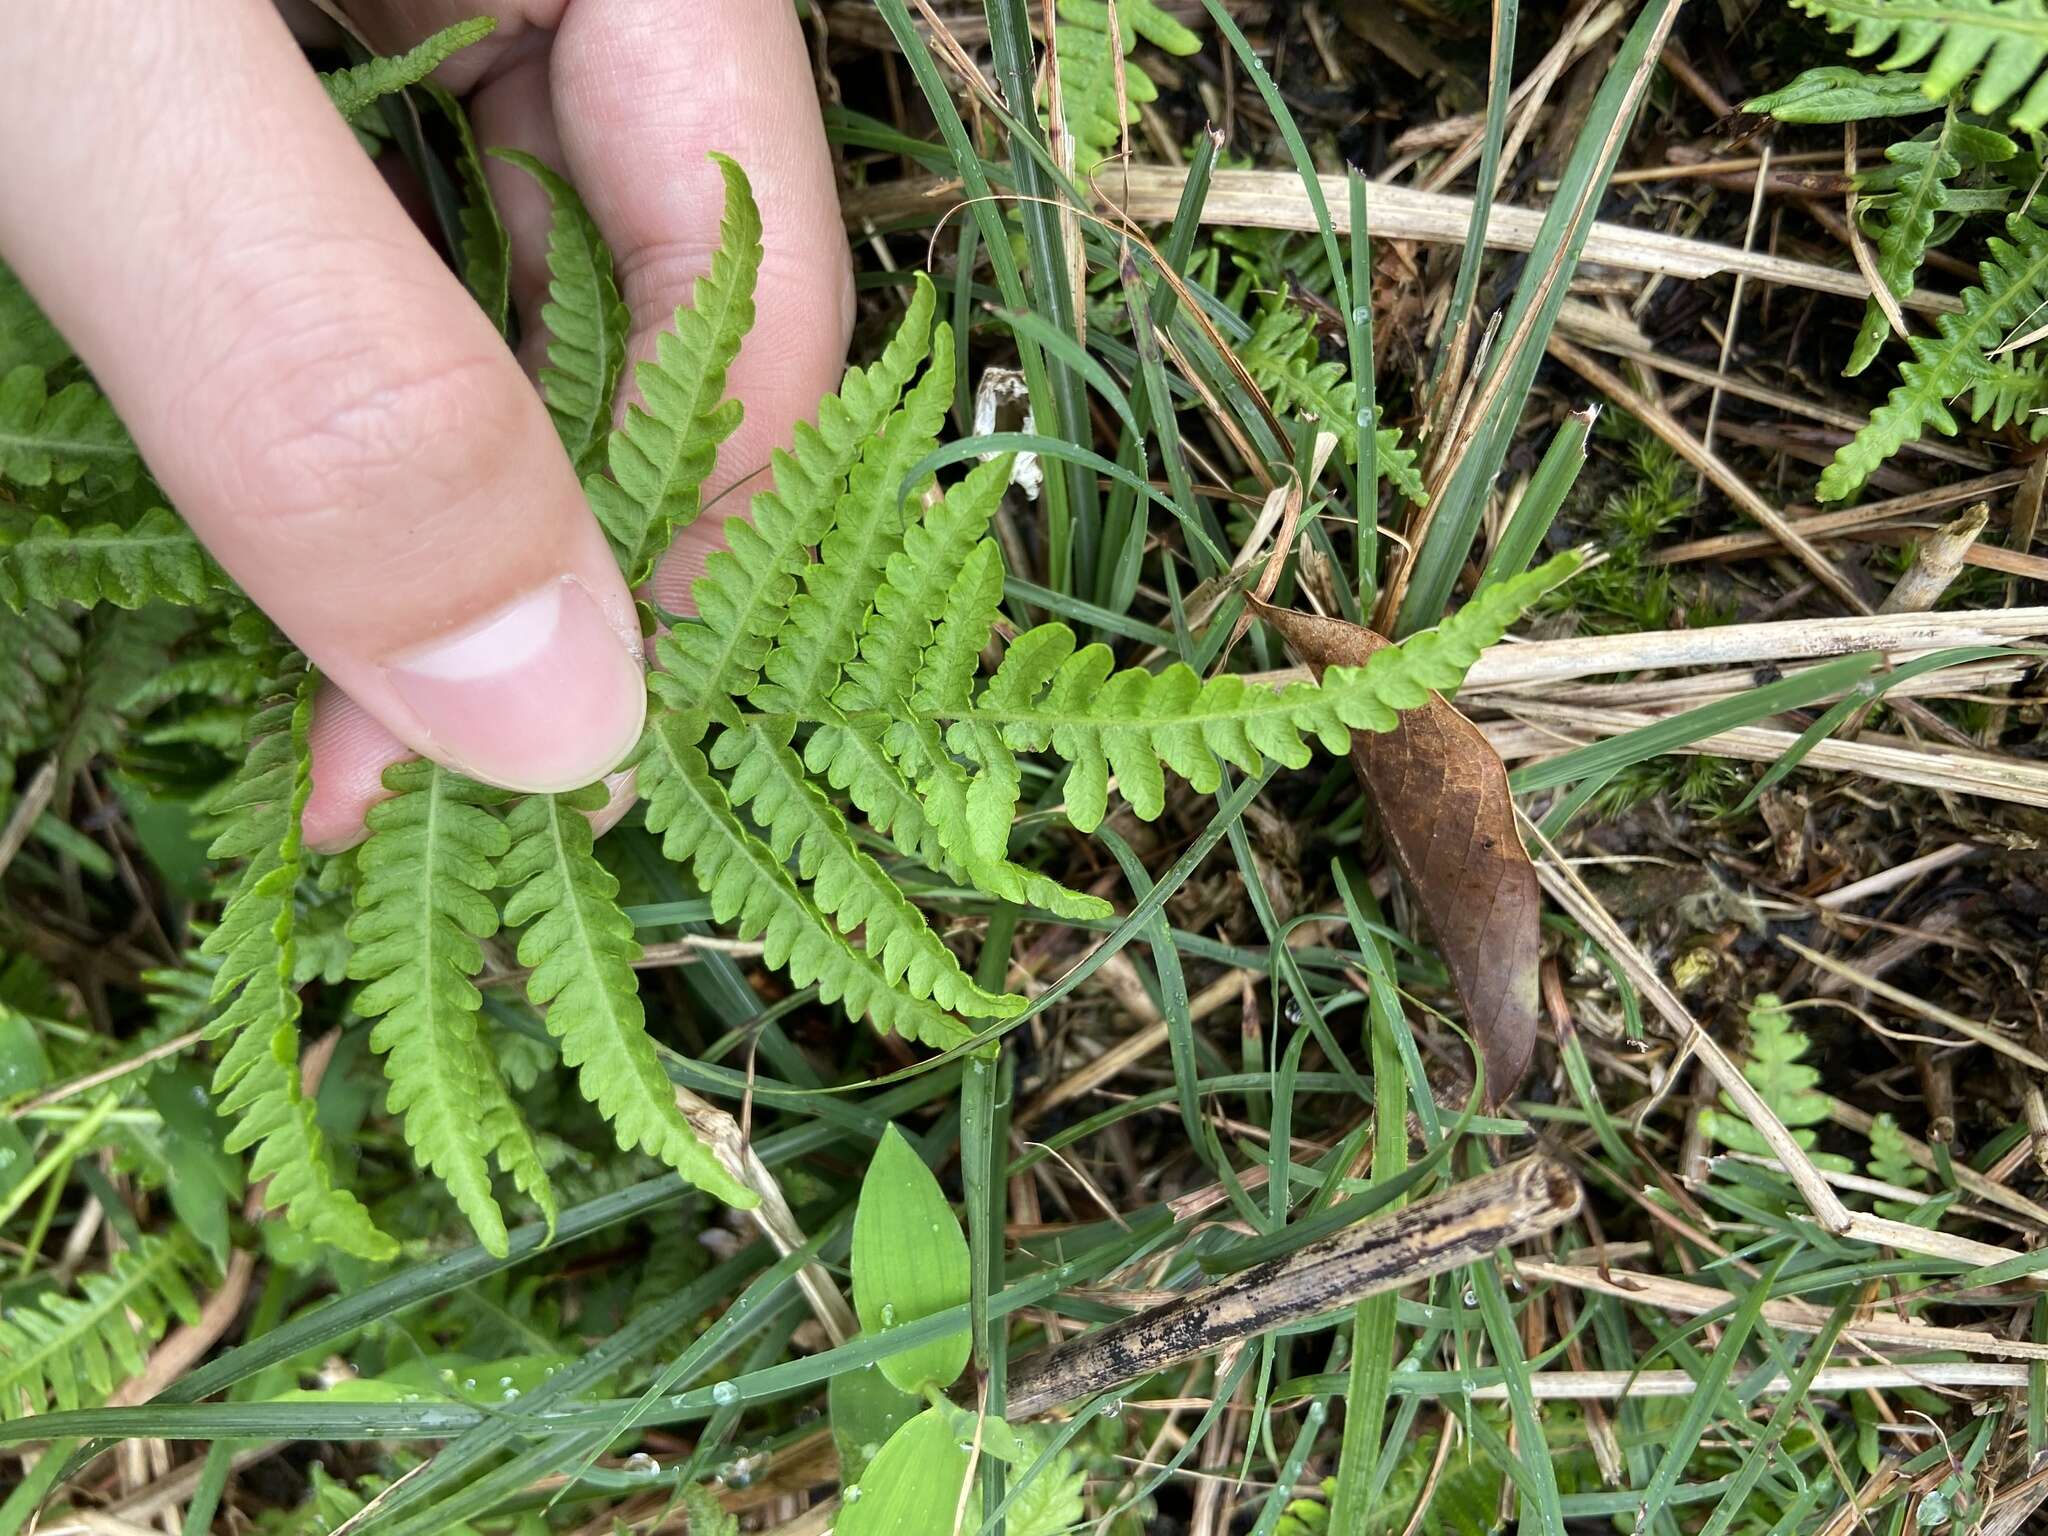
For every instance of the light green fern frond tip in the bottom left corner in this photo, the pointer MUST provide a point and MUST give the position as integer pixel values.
(73, 1351)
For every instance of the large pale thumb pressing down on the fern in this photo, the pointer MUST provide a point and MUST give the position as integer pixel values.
(312, 386)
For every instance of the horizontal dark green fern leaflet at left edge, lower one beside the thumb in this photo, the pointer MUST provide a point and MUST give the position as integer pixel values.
(157, 560)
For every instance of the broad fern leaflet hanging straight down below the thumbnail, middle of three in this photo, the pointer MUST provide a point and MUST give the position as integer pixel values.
(423, 910)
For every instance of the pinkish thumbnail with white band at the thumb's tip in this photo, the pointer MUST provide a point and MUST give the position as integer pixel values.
(540, 697)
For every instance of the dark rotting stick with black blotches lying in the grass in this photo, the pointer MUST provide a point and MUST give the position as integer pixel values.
(1463, 1226)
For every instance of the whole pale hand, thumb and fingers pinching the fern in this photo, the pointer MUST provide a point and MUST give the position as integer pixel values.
(325, 402)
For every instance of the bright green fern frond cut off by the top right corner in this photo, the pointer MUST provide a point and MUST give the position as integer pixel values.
(2008, 40)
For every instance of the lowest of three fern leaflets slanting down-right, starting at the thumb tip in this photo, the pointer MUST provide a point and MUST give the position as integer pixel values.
(749, 886)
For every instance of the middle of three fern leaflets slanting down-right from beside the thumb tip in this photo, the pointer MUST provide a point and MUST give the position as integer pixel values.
(847, 884)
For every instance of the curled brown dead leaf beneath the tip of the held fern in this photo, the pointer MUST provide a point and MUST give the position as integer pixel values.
(1441, 794)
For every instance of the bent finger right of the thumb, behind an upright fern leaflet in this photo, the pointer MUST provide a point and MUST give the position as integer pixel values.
(644, 91)
